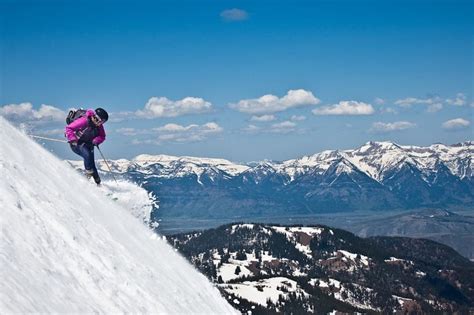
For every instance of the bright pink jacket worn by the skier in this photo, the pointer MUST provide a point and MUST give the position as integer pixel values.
(82, 127)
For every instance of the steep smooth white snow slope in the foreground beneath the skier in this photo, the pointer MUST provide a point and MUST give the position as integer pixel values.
(65, 247)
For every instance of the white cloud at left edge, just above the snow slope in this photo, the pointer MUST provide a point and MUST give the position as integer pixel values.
(26, 112)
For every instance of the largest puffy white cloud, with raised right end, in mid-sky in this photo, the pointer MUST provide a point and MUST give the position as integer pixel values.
(271, 104)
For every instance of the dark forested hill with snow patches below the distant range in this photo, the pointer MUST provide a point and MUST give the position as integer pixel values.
(320, 270)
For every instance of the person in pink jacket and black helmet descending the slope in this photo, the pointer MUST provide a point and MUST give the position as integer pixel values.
(85, 132)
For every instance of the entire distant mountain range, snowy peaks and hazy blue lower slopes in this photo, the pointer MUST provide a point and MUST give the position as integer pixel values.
(377, 176)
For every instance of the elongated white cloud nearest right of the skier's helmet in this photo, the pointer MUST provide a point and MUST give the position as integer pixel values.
(163, 107)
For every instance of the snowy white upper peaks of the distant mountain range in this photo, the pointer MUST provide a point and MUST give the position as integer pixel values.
(376, 159)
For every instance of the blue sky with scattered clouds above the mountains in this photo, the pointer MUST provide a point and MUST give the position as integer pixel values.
(336, 74)
